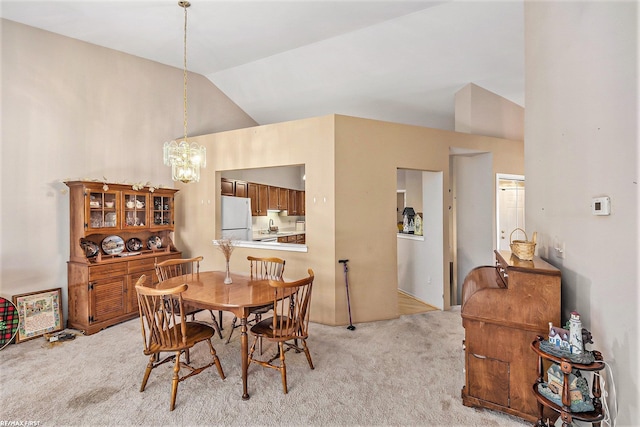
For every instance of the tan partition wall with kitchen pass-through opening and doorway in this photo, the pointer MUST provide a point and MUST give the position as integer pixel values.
(351, 167)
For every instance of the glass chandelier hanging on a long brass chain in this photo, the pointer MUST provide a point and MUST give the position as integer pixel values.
(185, 158)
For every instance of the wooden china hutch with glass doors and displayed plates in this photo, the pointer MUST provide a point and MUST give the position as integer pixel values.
(117, 233)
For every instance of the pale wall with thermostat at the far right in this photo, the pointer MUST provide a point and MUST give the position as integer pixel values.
(583, 142)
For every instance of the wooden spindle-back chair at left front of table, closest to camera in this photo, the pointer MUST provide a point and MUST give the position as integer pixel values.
(165, 329)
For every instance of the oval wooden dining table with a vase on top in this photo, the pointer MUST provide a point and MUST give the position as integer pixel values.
(208, 290)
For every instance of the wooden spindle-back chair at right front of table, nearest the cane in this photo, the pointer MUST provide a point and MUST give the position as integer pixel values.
(289, 324)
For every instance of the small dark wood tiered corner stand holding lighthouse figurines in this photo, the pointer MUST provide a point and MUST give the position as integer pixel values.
(567, 366)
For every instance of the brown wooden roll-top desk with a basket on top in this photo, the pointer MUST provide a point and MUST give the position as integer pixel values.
(504, 307)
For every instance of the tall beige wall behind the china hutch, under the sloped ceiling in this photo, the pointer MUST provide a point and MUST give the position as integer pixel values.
(75, 110)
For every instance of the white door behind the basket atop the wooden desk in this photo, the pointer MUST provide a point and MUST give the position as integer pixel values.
(509, 209)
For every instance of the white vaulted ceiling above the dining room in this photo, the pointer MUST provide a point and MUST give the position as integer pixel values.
(400, 61)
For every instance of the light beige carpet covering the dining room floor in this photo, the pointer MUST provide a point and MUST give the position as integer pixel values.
(401, 372)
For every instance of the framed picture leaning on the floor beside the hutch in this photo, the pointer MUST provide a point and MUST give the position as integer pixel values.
(39, 312)
